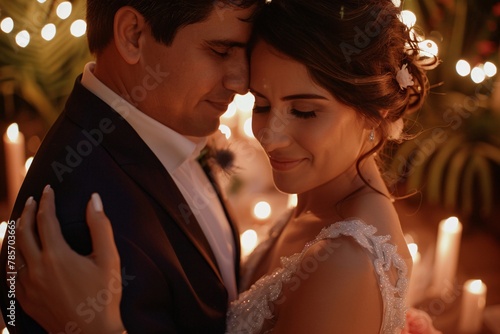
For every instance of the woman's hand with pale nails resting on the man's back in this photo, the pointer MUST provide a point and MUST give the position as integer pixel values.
(62, 290)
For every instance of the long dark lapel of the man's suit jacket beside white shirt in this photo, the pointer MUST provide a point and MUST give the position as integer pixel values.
(140, 163)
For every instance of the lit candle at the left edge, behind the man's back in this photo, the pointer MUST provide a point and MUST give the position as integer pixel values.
(15, 158)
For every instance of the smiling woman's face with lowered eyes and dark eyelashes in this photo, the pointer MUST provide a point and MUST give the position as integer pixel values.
(310, 137)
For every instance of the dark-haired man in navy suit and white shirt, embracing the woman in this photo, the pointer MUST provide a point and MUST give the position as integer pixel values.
(131, 131)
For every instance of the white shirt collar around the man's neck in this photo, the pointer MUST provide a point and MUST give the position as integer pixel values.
(170, 147)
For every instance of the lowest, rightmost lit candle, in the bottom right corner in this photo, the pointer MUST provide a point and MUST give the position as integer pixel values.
(473, 302)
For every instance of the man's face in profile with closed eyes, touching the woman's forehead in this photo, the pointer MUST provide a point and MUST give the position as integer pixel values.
(200, 72)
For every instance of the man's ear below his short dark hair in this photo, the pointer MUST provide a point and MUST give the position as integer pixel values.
(129, 27)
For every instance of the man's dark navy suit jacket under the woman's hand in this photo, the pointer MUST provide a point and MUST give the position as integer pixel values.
(171, 282)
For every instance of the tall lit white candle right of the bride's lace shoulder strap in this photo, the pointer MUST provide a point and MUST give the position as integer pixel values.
(447, 249)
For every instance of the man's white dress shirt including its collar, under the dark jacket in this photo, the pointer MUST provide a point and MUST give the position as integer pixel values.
(178, 155)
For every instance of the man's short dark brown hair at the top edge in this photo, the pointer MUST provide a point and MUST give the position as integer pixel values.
(165, 17)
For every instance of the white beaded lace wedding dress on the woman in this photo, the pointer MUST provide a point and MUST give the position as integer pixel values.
(248, 314)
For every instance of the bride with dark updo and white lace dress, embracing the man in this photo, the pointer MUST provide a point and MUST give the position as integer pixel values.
(333, 81)
